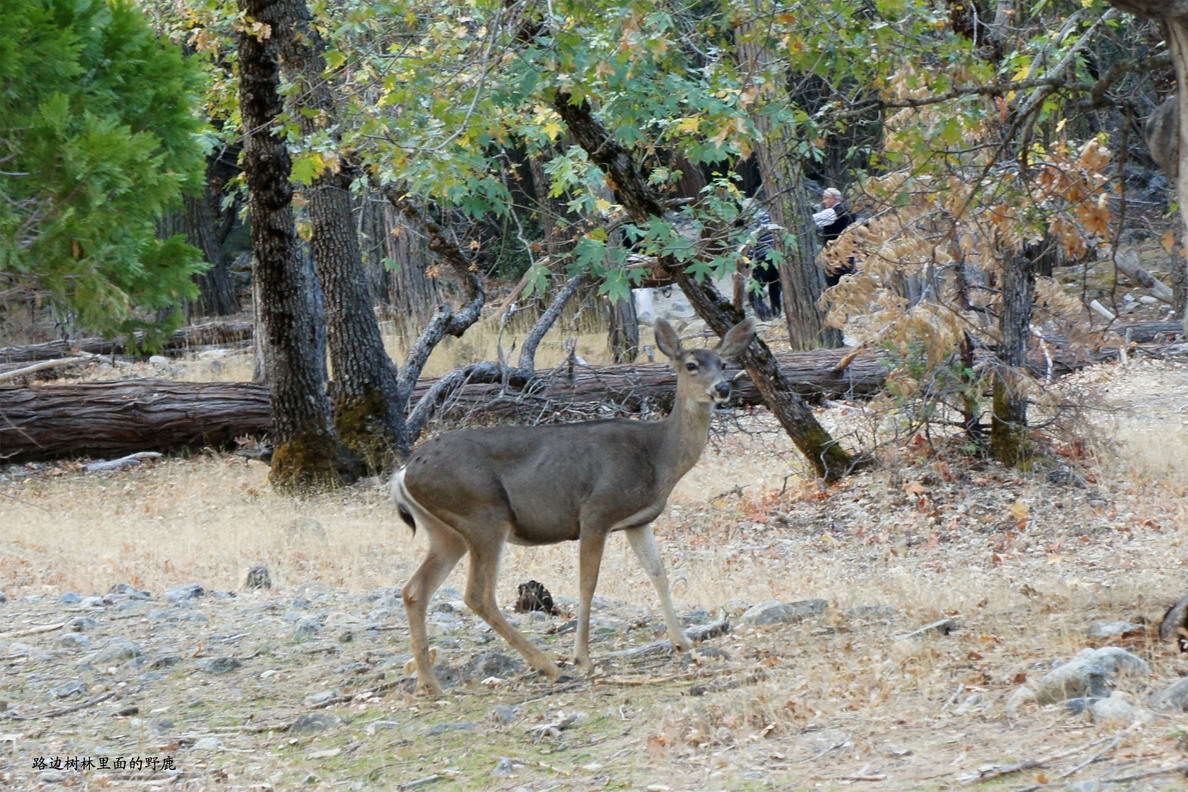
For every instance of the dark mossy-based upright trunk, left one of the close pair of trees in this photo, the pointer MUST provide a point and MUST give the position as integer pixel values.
(308, 454)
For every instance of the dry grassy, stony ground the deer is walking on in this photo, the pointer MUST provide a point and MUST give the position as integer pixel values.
(305, 686)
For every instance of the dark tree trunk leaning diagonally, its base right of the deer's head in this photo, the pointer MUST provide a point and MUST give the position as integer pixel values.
(827, 458)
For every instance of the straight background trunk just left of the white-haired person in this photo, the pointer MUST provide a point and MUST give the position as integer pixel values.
(787, 200)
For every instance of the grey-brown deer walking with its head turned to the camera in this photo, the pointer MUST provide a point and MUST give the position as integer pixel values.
(476, 490)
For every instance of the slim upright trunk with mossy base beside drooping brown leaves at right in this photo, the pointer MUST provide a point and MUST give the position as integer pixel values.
(1009, 422)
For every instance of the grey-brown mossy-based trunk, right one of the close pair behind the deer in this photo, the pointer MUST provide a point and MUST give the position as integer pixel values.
(368, 409)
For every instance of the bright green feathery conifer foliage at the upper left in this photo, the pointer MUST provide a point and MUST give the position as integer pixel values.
(97, 142)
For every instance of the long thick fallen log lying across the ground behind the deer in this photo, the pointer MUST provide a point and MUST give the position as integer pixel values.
(115, 419)
